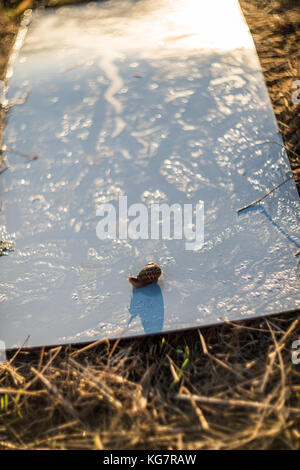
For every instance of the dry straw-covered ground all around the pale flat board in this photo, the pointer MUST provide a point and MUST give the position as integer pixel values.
(234, 386)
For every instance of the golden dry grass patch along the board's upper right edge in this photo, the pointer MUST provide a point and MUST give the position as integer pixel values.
(275, 26)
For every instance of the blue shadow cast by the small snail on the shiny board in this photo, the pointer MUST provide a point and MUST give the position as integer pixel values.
(147, 303)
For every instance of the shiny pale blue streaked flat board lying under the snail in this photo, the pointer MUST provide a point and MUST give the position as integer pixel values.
(159, 101)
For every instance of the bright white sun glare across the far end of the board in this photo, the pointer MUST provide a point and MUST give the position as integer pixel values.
(148, 27)
